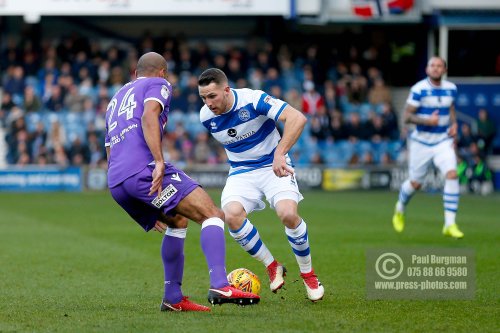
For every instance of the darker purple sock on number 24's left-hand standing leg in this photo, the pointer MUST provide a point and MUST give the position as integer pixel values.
(172, 254)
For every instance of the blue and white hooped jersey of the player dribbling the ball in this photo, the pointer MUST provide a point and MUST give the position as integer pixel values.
(248, 131)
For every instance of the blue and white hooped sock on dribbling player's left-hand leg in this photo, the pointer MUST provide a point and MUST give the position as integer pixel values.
(249, 239)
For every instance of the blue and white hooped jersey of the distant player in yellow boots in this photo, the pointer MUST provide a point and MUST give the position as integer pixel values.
(428, 98)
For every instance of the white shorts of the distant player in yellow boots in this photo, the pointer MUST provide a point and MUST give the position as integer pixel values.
(421, 156)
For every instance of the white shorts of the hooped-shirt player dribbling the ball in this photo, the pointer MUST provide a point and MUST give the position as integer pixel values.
(248, 188)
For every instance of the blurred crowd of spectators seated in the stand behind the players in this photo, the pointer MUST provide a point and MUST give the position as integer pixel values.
(54, 98)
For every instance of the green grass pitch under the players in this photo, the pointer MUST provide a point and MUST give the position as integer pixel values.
(77, 263)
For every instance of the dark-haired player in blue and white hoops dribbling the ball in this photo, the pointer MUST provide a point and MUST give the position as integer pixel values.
(244, 122)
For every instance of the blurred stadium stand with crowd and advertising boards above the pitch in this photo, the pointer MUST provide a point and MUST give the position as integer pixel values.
(347, 64)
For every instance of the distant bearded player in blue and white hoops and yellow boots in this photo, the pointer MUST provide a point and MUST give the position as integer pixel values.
(430, 106)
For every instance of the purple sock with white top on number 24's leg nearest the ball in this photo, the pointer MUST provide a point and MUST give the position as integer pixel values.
(213, 245)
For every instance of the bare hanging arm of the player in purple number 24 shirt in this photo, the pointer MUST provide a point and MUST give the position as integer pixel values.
(152, 135)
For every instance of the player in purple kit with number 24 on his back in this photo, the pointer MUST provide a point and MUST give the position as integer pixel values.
(155, 193)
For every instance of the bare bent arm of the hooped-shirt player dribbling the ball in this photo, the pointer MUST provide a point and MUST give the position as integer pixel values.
(294, 122)
